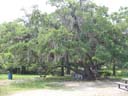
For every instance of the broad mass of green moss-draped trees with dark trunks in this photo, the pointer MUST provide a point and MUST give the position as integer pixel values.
(79, 37)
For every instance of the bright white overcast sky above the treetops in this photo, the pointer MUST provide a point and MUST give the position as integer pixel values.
(11, 9)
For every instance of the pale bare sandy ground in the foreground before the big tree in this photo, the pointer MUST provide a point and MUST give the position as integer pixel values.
(97, 88)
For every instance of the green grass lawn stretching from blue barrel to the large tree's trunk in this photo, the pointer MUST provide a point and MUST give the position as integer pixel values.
(27, 82)
